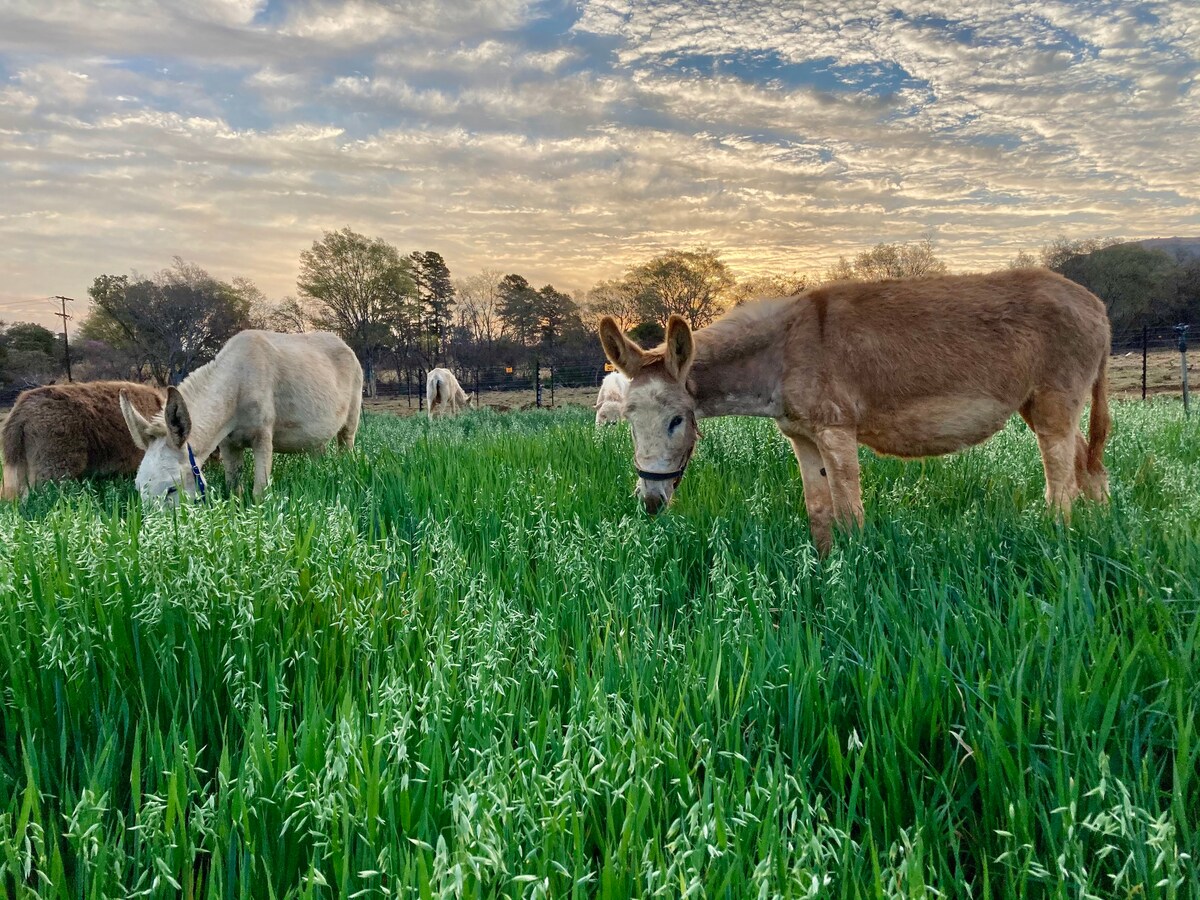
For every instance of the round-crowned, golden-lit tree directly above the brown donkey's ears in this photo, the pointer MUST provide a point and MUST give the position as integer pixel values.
(691, 284)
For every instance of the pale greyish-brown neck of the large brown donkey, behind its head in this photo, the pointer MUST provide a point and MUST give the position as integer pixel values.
(740, 362)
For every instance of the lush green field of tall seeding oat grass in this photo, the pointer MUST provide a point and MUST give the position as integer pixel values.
(461, 663)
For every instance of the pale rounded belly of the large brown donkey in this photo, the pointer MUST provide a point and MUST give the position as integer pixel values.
(934, 427)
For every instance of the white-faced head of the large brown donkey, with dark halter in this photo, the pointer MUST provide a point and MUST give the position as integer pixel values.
(661, 411)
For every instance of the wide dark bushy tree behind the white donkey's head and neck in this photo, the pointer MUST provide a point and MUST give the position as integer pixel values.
(171, 323)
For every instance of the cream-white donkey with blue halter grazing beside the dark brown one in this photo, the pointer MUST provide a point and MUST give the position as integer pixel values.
(265, 392)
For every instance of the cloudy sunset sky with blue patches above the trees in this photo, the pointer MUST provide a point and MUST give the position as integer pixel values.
(567, 141)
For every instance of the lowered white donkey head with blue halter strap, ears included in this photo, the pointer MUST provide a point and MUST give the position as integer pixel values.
(166, 471)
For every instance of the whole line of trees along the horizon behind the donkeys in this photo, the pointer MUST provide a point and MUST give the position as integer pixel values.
(404, 314)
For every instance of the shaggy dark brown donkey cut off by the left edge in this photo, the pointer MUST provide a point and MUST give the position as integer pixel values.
(69, 431)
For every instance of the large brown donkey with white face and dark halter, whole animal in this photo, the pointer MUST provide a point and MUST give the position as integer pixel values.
(914, 368)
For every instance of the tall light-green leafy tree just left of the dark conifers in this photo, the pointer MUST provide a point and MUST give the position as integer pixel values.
(362, 287)
